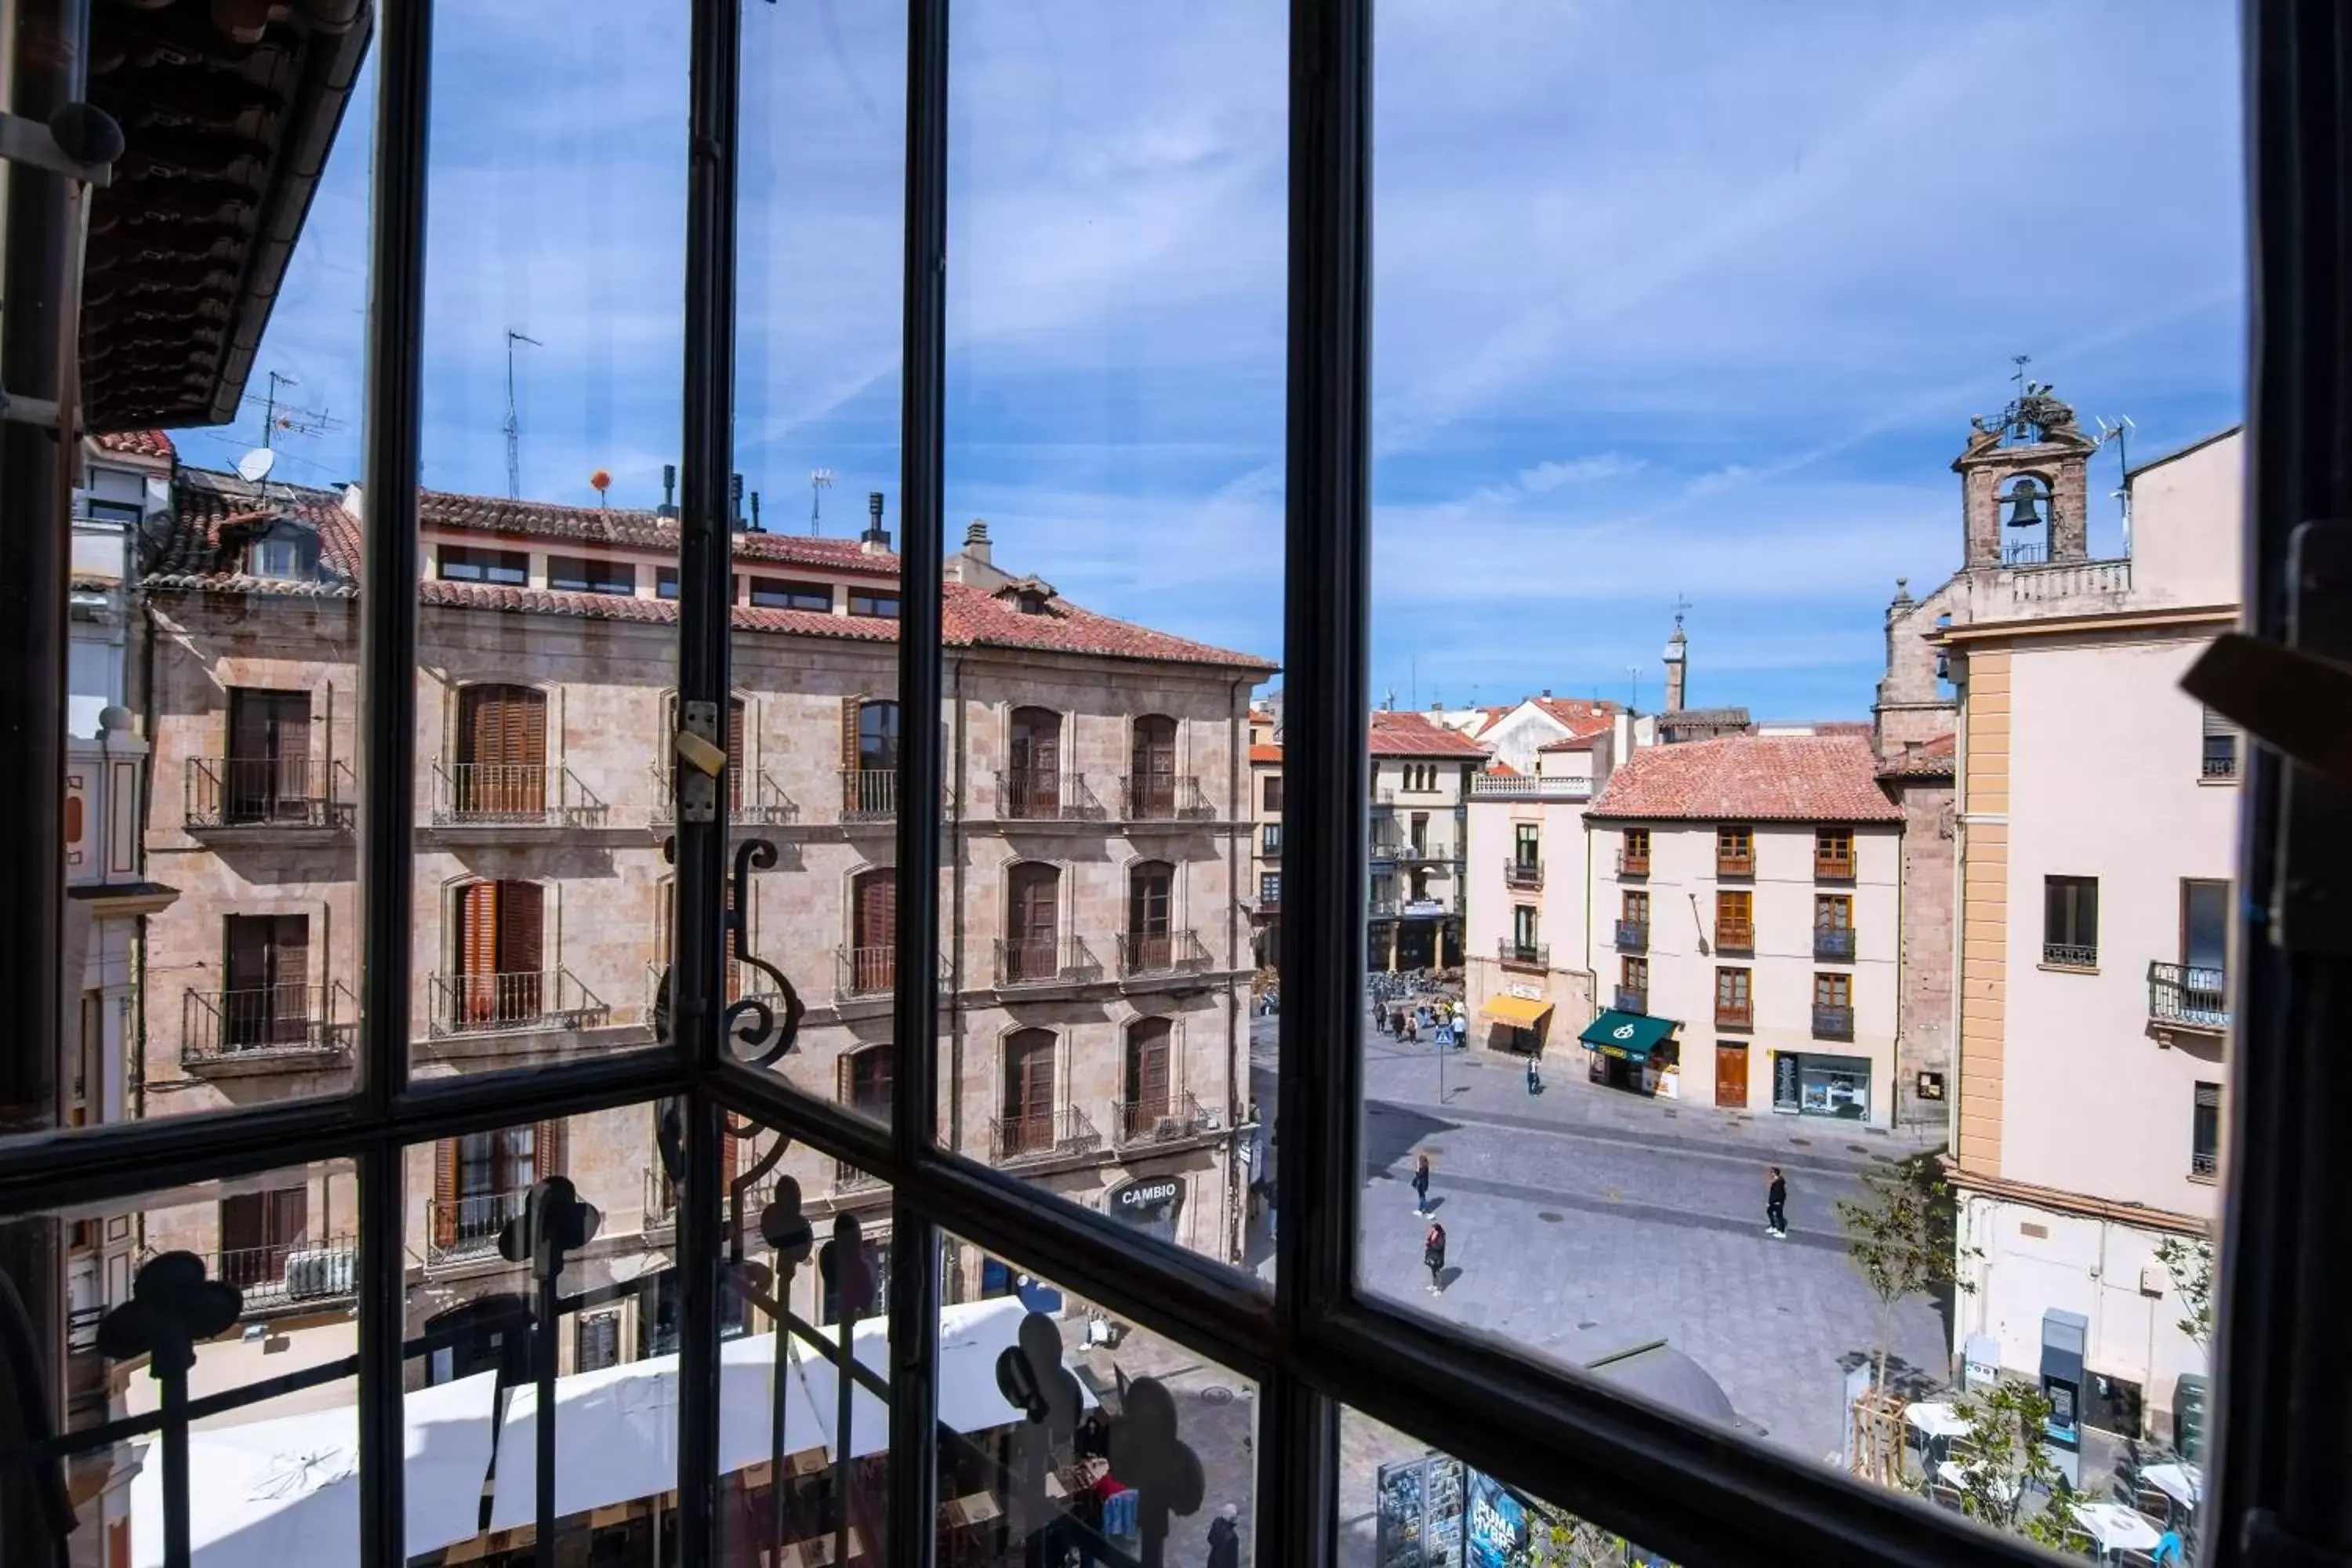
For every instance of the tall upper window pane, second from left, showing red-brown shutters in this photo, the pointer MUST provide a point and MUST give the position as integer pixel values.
(547, 652)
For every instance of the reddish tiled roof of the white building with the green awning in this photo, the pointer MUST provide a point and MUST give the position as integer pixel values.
(1751, 779)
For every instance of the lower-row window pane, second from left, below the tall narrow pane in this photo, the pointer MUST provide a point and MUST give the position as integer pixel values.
(476, 1207)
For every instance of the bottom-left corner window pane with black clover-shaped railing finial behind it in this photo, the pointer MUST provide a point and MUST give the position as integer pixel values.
(262, 1275)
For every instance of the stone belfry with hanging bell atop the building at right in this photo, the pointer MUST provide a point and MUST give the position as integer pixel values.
(2026, 483)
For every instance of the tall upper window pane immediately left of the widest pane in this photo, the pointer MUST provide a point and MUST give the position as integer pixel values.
(1114, 601)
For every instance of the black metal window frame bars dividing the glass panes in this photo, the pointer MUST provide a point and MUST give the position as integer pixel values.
(1316, 1341)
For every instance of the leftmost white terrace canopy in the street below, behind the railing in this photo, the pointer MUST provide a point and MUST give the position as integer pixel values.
(286, 1492)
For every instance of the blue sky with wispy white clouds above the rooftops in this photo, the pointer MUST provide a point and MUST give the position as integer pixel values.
(1671, 297)
